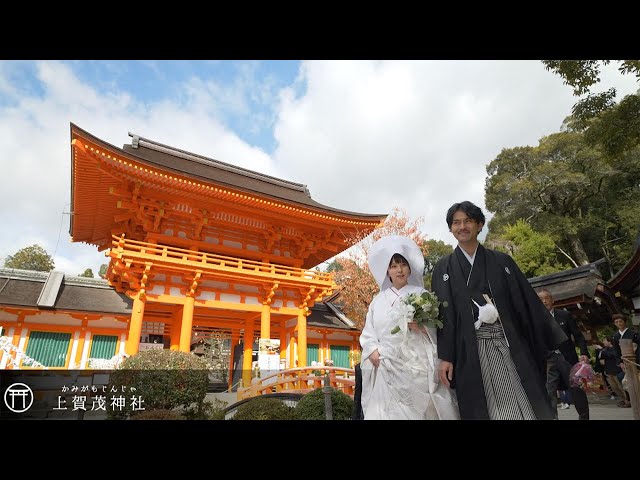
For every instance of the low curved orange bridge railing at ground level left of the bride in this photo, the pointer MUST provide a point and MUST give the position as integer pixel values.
(301, 380)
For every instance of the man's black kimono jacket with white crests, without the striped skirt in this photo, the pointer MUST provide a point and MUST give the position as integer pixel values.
(528, 326)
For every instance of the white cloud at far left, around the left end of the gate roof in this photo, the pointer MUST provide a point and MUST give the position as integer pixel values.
(34, 133)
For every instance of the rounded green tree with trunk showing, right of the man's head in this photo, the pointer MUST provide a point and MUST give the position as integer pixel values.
(549, 186)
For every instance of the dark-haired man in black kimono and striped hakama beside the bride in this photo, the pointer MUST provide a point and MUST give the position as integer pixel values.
(496, 368)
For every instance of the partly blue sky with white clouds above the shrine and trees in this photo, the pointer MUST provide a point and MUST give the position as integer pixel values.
(365, 136)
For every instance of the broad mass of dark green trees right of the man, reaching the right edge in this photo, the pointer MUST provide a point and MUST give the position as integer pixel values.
(569, 190)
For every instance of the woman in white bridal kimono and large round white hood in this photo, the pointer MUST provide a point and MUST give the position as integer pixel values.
(399, 371)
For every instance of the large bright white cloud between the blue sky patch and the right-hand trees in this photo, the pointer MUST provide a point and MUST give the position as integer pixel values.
(368, 136)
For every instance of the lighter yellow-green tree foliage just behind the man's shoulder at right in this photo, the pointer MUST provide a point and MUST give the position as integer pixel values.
(534, 252)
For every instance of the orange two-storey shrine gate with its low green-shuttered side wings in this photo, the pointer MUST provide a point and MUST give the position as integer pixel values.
(197, 249)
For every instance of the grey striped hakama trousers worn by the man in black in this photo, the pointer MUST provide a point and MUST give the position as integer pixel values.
(506, 398)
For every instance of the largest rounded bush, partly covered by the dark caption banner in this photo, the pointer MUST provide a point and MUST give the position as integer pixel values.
(164, 379)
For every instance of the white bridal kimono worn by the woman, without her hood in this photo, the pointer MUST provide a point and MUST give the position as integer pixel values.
(405, 386)
